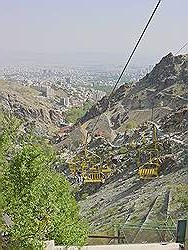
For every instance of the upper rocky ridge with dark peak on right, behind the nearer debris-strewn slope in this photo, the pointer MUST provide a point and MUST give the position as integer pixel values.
(164, 89)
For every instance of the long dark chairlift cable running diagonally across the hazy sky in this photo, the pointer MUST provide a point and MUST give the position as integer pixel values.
(127, 63)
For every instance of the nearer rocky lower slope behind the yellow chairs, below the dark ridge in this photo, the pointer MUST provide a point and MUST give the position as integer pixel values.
(125, 198)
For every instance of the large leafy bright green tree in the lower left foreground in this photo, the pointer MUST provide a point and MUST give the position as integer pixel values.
(36, 198)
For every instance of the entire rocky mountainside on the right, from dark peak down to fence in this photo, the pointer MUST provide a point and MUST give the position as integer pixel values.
(160, 100)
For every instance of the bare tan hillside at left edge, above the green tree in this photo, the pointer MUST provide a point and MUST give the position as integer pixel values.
(26, 103)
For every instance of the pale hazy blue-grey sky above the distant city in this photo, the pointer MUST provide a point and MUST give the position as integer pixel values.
(102, 29)
